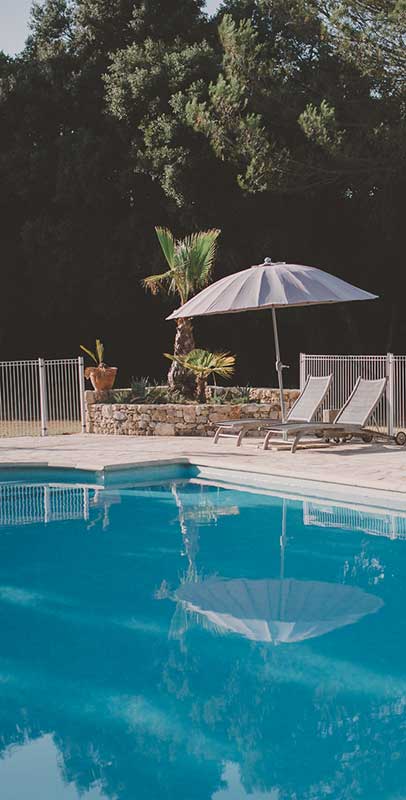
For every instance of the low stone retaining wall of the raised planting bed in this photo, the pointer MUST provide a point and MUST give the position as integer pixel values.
(175, 419)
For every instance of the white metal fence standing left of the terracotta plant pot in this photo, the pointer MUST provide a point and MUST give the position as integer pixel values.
(42, 396)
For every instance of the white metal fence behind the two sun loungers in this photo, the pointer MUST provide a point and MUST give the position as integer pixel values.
(390, 414)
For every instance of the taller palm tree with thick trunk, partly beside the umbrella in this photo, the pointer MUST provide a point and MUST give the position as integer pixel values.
(190, 261)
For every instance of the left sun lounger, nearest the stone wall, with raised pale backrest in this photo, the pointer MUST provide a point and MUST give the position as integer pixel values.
(303, 410)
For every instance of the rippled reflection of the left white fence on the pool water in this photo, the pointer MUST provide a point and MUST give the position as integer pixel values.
(27, 504)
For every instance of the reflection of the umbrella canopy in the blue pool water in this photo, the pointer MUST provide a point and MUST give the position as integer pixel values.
(276, 610)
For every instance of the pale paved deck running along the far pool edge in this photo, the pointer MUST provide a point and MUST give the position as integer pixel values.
(373, 469)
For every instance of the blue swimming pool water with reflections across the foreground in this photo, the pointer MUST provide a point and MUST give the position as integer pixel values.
(188, 642)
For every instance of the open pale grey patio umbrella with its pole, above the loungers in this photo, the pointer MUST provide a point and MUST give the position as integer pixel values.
(271, 285)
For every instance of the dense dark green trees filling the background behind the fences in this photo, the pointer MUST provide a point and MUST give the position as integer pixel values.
(282, 122)
